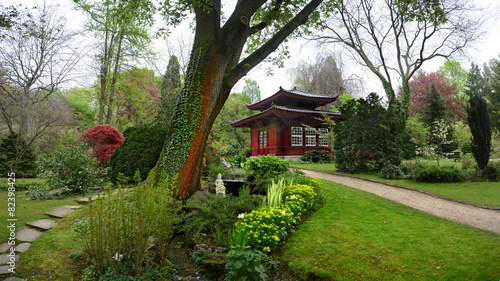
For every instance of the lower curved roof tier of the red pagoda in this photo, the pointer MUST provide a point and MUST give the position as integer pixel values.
(285, 114)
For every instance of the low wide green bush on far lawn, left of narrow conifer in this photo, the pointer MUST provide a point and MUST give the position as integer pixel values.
(435, 173)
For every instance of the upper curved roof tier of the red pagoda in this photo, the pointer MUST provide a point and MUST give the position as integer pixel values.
(293, 98)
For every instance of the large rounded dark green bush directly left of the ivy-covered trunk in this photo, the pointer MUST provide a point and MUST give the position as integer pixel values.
(140, 150)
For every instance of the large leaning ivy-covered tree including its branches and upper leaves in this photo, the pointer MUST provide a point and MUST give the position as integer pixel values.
(216, 64)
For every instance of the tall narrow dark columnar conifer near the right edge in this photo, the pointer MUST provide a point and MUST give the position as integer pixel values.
(478, 118)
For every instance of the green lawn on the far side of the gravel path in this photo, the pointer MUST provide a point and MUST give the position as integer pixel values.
(485, 194)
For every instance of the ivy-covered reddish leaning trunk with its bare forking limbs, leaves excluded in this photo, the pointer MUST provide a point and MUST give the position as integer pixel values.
(213, 69)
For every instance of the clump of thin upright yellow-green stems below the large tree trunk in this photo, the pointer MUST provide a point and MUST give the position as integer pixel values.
(118, 227)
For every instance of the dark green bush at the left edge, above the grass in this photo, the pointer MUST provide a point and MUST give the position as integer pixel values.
(12, 146)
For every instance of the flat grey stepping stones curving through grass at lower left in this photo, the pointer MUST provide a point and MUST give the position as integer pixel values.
(29, 235)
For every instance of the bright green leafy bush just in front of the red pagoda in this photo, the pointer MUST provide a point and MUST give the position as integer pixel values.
(267, 166)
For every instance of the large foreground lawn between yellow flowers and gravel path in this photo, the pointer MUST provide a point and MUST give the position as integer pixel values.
(357, 235)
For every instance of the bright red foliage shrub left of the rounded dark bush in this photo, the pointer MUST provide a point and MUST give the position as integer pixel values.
(104, 140)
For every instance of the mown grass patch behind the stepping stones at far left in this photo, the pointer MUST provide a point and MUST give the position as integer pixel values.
(27, 210)
